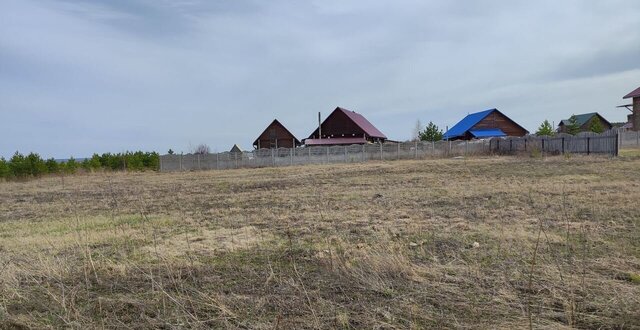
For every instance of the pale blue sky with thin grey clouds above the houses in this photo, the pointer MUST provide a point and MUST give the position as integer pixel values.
(84, 77)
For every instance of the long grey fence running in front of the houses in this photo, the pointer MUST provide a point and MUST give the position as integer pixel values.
(584, 143)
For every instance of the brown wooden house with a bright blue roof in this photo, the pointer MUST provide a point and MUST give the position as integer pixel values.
(484, 124)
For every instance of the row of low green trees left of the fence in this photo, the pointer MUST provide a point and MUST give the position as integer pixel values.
(21, 166)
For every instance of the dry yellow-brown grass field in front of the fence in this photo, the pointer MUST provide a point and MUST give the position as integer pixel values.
(457, 243)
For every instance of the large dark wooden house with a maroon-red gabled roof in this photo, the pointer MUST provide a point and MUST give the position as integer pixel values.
(345, 127)
